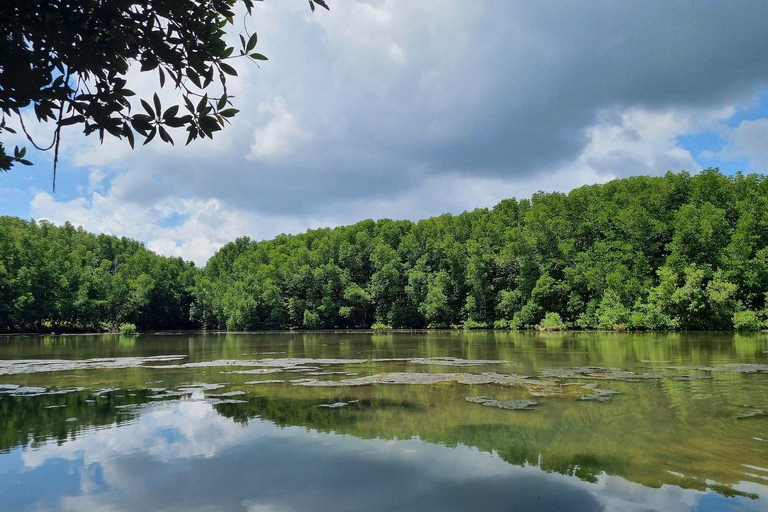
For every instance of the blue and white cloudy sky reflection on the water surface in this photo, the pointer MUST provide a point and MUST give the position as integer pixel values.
(182, 455)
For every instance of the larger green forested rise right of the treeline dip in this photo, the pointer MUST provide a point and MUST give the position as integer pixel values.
(651, 253)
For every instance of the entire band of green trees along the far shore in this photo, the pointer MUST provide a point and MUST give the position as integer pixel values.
(647, 253)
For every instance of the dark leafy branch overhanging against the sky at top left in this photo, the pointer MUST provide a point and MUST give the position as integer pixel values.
(68, 61)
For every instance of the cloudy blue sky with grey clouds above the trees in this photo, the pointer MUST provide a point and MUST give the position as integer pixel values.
(406, 110)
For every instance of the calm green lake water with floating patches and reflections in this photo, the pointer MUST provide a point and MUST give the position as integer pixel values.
(407, 421)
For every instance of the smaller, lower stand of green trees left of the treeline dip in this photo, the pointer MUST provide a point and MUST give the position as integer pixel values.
(64, 279)
